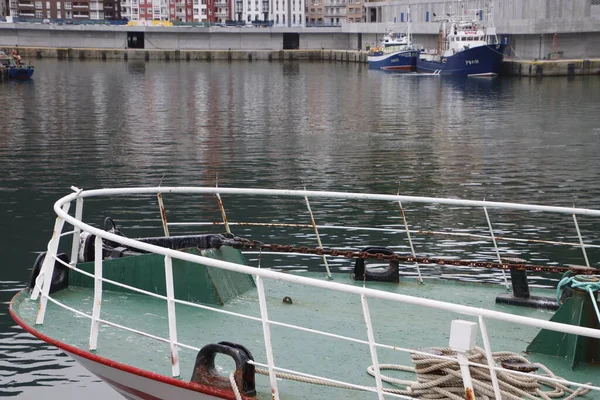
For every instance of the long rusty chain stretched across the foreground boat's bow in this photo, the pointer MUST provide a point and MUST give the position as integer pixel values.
(255, 244)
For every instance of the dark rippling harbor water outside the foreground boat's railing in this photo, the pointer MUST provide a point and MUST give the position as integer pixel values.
(285, 125)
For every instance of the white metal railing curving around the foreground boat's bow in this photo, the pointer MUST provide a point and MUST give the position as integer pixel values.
(61, 207)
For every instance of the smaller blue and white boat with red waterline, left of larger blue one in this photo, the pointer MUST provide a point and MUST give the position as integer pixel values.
(397, 52)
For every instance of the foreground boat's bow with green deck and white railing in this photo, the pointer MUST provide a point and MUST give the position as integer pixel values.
(301, 294)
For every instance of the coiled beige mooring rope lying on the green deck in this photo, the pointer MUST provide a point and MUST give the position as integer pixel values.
(440, 379)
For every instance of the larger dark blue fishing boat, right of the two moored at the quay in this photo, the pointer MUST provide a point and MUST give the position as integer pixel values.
(466, 47)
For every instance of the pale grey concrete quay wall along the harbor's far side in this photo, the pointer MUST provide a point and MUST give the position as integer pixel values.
(523, 43)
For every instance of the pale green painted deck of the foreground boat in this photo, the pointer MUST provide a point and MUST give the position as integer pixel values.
(340, 313)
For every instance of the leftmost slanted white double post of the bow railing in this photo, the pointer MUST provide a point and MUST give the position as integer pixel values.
(47, 269)
